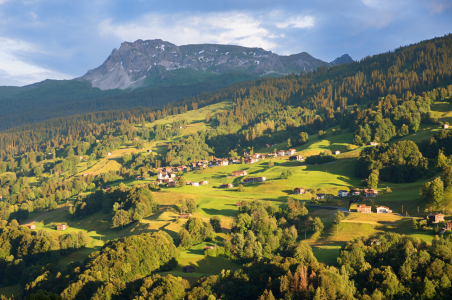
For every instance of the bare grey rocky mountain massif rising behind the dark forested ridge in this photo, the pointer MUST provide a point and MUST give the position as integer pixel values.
(156, 62)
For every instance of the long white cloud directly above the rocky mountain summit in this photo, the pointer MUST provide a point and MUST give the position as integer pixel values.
(236, 28)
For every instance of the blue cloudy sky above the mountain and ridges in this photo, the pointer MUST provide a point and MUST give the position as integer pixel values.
(61, 39)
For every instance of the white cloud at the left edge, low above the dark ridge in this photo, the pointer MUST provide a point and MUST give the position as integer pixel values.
(15, 71)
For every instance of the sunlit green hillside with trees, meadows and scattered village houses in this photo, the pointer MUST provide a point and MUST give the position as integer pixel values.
(146, 204)
